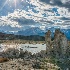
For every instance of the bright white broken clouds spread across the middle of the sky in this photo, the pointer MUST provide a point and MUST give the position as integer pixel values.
(39, 17)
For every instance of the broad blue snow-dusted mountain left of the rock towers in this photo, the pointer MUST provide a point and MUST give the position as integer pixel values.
(31, 31)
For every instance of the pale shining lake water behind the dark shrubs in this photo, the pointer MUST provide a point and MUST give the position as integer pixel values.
(33, 48)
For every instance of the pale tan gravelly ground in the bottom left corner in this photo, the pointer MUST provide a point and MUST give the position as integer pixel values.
(14, 65)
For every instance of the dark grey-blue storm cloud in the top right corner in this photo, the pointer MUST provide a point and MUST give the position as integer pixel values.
(57, 3)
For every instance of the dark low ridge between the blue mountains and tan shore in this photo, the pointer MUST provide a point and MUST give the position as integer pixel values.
(4, 36)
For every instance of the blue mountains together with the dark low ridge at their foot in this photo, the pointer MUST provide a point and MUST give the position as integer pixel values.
(33, 32)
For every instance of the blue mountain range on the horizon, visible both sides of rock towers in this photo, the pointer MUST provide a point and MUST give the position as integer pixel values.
(37, 31)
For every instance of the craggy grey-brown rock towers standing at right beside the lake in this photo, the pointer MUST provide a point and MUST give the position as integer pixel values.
(58, 46)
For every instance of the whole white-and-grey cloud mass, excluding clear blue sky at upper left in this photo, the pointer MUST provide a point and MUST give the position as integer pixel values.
(39, 13)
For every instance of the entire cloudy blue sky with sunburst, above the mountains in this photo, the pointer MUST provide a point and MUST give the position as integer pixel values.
(17, 15)
